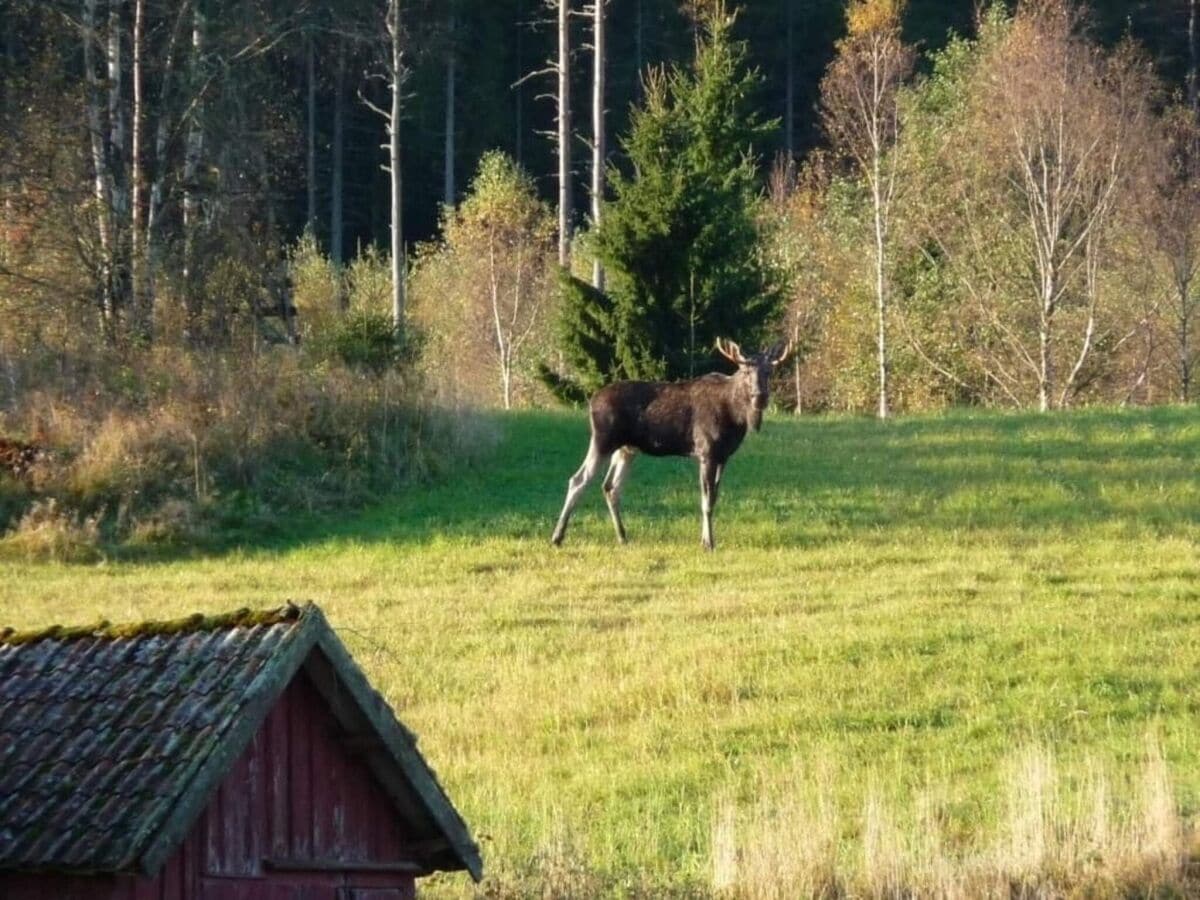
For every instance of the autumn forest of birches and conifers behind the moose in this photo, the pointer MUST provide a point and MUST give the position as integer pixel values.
(385, 215)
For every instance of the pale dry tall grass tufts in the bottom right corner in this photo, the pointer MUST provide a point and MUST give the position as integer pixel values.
(1058, 838)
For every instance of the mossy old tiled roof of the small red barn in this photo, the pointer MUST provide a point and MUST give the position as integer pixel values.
(112, 739)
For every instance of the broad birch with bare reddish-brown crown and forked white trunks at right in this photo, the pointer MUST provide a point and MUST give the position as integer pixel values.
(1066, 122)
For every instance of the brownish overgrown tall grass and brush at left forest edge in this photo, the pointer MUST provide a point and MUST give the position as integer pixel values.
(159, 447)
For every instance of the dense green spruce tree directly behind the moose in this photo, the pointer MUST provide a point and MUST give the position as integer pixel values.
(681, 241)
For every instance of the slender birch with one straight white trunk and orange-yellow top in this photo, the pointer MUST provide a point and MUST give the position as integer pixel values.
(862, 116)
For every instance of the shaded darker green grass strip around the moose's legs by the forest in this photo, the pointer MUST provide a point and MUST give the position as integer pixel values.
(802, 483)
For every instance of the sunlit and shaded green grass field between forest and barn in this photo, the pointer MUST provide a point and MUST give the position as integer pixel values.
(895, 614)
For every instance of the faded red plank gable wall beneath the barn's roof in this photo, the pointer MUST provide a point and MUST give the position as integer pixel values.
(297, 794)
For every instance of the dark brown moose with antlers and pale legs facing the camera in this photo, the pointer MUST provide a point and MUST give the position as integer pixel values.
(705, 418)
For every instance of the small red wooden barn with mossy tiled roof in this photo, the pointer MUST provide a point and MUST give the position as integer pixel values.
(230, 758)
